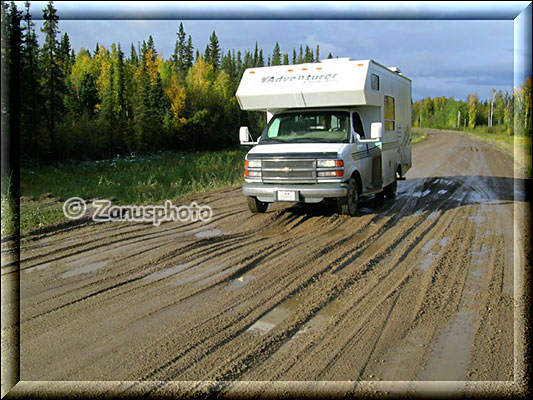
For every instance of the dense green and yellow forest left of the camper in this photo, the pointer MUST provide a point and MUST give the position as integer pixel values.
(99, 103)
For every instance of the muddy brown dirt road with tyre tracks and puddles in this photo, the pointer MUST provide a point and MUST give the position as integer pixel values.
(420, 288)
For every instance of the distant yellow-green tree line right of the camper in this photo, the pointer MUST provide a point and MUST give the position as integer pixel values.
(501, 113)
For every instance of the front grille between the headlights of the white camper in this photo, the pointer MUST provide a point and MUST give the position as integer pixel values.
(289, 170)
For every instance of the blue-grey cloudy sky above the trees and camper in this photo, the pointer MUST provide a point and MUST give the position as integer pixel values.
(442, 57)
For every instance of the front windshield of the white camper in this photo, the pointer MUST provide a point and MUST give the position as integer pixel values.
(308, 127)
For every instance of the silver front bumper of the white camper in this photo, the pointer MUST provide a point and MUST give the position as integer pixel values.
(311, 193)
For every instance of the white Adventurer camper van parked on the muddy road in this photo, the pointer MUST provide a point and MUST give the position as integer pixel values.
(336, 130)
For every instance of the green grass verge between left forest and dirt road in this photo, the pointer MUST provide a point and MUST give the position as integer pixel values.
(149, 179)
